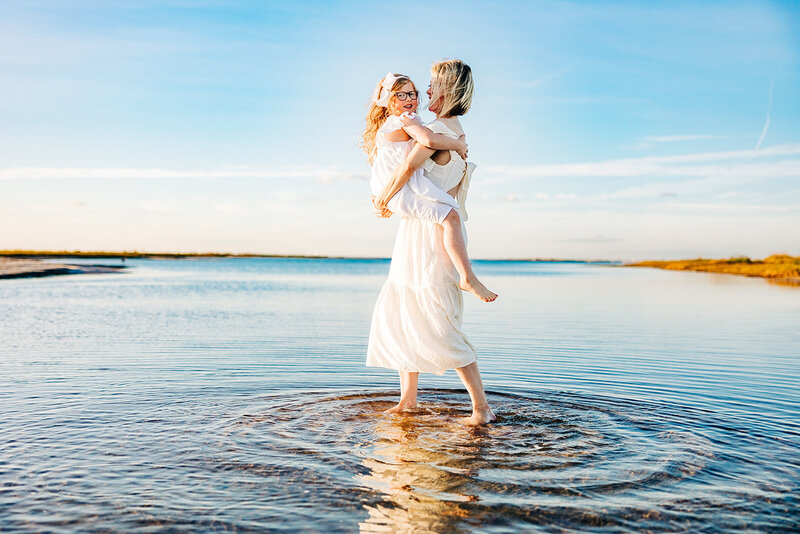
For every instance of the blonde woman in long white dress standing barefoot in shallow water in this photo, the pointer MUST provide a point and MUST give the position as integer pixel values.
(416, 325)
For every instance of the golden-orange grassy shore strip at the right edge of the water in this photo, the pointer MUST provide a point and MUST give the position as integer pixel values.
(777, 266)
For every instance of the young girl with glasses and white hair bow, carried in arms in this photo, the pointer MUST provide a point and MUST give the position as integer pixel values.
(392, 128)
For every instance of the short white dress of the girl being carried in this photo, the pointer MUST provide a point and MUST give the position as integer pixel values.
(419, 198)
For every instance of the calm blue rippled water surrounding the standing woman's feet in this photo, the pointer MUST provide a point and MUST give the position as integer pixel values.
(231, 394)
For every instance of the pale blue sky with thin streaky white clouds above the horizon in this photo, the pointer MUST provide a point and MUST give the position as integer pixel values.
(600, 130)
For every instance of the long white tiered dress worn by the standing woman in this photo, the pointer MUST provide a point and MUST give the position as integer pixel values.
(416, 324)
